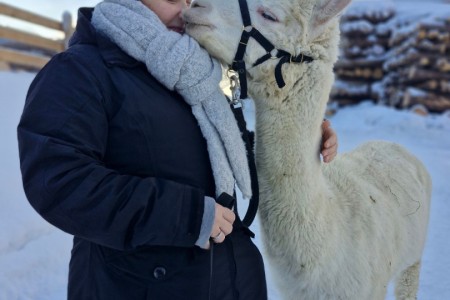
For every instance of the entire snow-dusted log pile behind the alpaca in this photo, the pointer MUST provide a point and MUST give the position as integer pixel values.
(393, 57)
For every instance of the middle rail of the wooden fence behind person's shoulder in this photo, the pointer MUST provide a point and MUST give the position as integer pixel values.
(31, 39)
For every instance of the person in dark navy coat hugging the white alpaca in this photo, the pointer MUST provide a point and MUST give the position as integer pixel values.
(114, 157)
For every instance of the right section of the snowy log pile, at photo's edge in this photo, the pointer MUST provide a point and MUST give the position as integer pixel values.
(418, 66)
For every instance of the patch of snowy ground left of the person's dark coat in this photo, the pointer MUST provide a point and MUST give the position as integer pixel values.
(33, 254)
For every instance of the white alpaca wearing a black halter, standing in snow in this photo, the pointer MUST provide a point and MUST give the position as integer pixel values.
(332, 231)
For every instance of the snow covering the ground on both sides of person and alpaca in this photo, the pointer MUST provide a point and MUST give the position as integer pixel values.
(34, 255)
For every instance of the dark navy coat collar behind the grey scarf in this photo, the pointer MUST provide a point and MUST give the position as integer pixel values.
(85, 33)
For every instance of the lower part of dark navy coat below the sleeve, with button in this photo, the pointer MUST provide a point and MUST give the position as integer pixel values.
(175, 273)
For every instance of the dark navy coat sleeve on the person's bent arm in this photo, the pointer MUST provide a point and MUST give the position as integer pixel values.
(62, 137)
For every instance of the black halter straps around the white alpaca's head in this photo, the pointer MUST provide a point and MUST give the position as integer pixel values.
(238, 62)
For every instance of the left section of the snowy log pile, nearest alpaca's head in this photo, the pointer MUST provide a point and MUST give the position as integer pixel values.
(365, 37)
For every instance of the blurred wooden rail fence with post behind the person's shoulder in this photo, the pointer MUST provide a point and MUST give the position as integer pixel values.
(27, 50)
